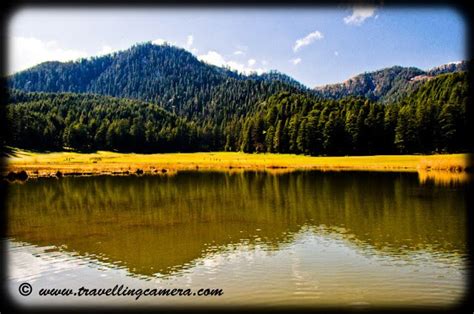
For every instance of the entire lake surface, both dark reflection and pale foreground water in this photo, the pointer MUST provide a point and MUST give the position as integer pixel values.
(310, 238)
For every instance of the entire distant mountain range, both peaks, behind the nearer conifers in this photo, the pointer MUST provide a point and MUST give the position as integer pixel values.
(181, 83)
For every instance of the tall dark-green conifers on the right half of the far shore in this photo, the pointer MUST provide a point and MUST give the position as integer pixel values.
(432, 119)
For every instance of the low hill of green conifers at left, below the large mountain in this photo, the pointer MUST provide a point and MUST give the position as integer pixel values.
(48, 121)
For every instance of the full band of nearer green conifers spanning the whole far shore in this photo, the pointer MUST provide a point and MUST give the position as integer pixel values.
(432, 119)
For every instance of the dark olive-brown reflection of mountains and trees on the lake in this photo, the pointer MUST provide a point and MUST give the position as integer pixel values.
(161, 224)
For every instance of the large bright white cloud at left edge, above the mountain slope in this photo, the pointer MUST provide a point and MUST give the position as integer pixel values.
(25, 52)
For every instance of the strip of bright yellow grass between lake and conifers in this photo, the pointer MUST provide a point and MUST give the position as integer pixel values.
(102, 162)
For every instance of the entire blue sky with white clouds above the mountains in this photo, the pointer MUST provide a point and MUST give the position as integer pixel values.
(314, 45)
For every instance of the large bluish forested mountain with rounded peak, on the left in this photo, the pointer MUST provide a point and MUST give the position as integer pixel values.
(163, 74)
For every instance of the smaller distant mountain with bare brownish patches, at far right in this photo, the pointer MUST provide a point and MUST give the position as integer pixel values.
(387, 85)
